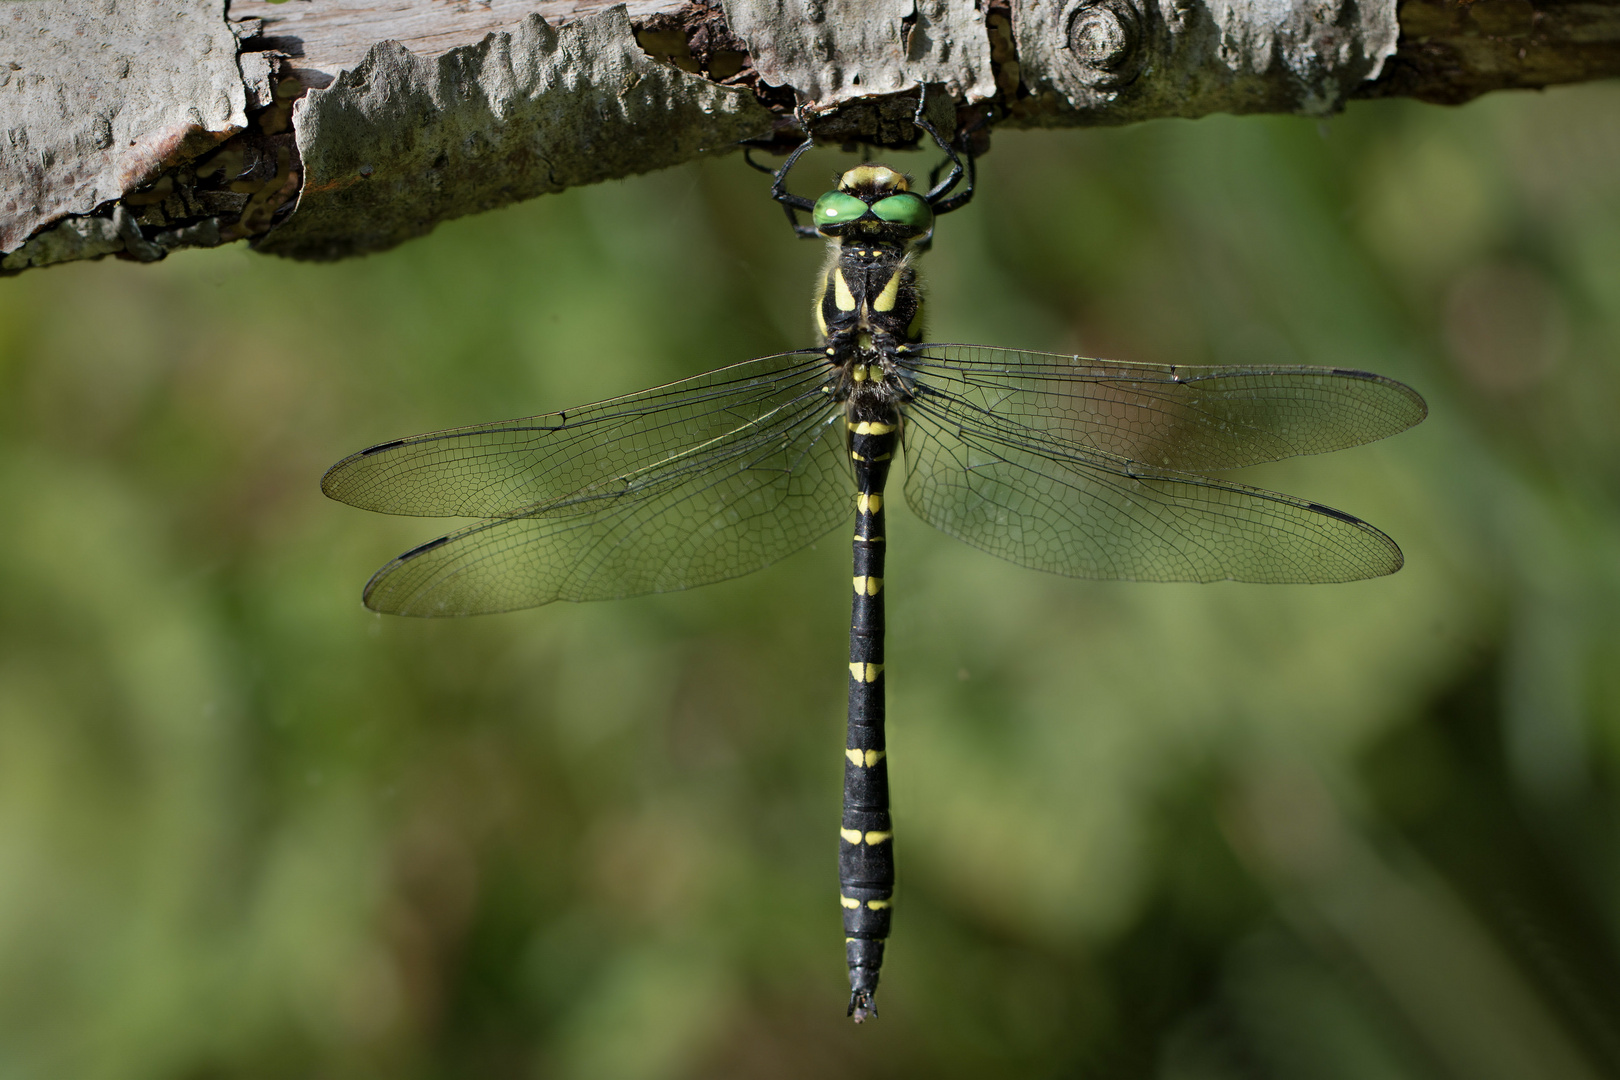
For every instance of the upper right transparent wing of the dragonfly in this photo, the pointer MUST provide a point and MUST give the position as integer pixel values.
(1174, 417)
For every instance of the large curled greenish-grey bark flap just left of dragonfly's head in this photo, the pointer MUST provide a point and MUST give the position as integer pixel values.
(401, 143)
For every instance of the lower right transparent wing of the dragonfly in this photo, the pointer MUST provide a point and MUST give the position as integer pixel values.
(1041, 503)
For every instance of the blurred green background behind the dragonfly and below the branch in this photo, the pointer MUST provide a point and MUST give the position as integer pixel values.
(1192, 833)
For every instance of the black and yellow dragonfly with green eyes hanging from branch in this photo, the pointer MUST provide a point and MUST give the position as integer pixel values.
(1088, 469)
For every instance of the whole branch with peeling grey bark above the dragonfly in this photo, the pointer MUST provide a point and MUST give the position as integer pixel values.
(352, 125)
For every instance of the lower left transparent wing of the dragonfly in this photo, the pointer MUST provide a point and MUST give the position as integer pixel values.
(731, 508)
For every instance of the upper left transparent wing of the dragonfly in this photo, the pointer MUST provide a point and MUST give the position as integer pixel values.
(521, 466)
